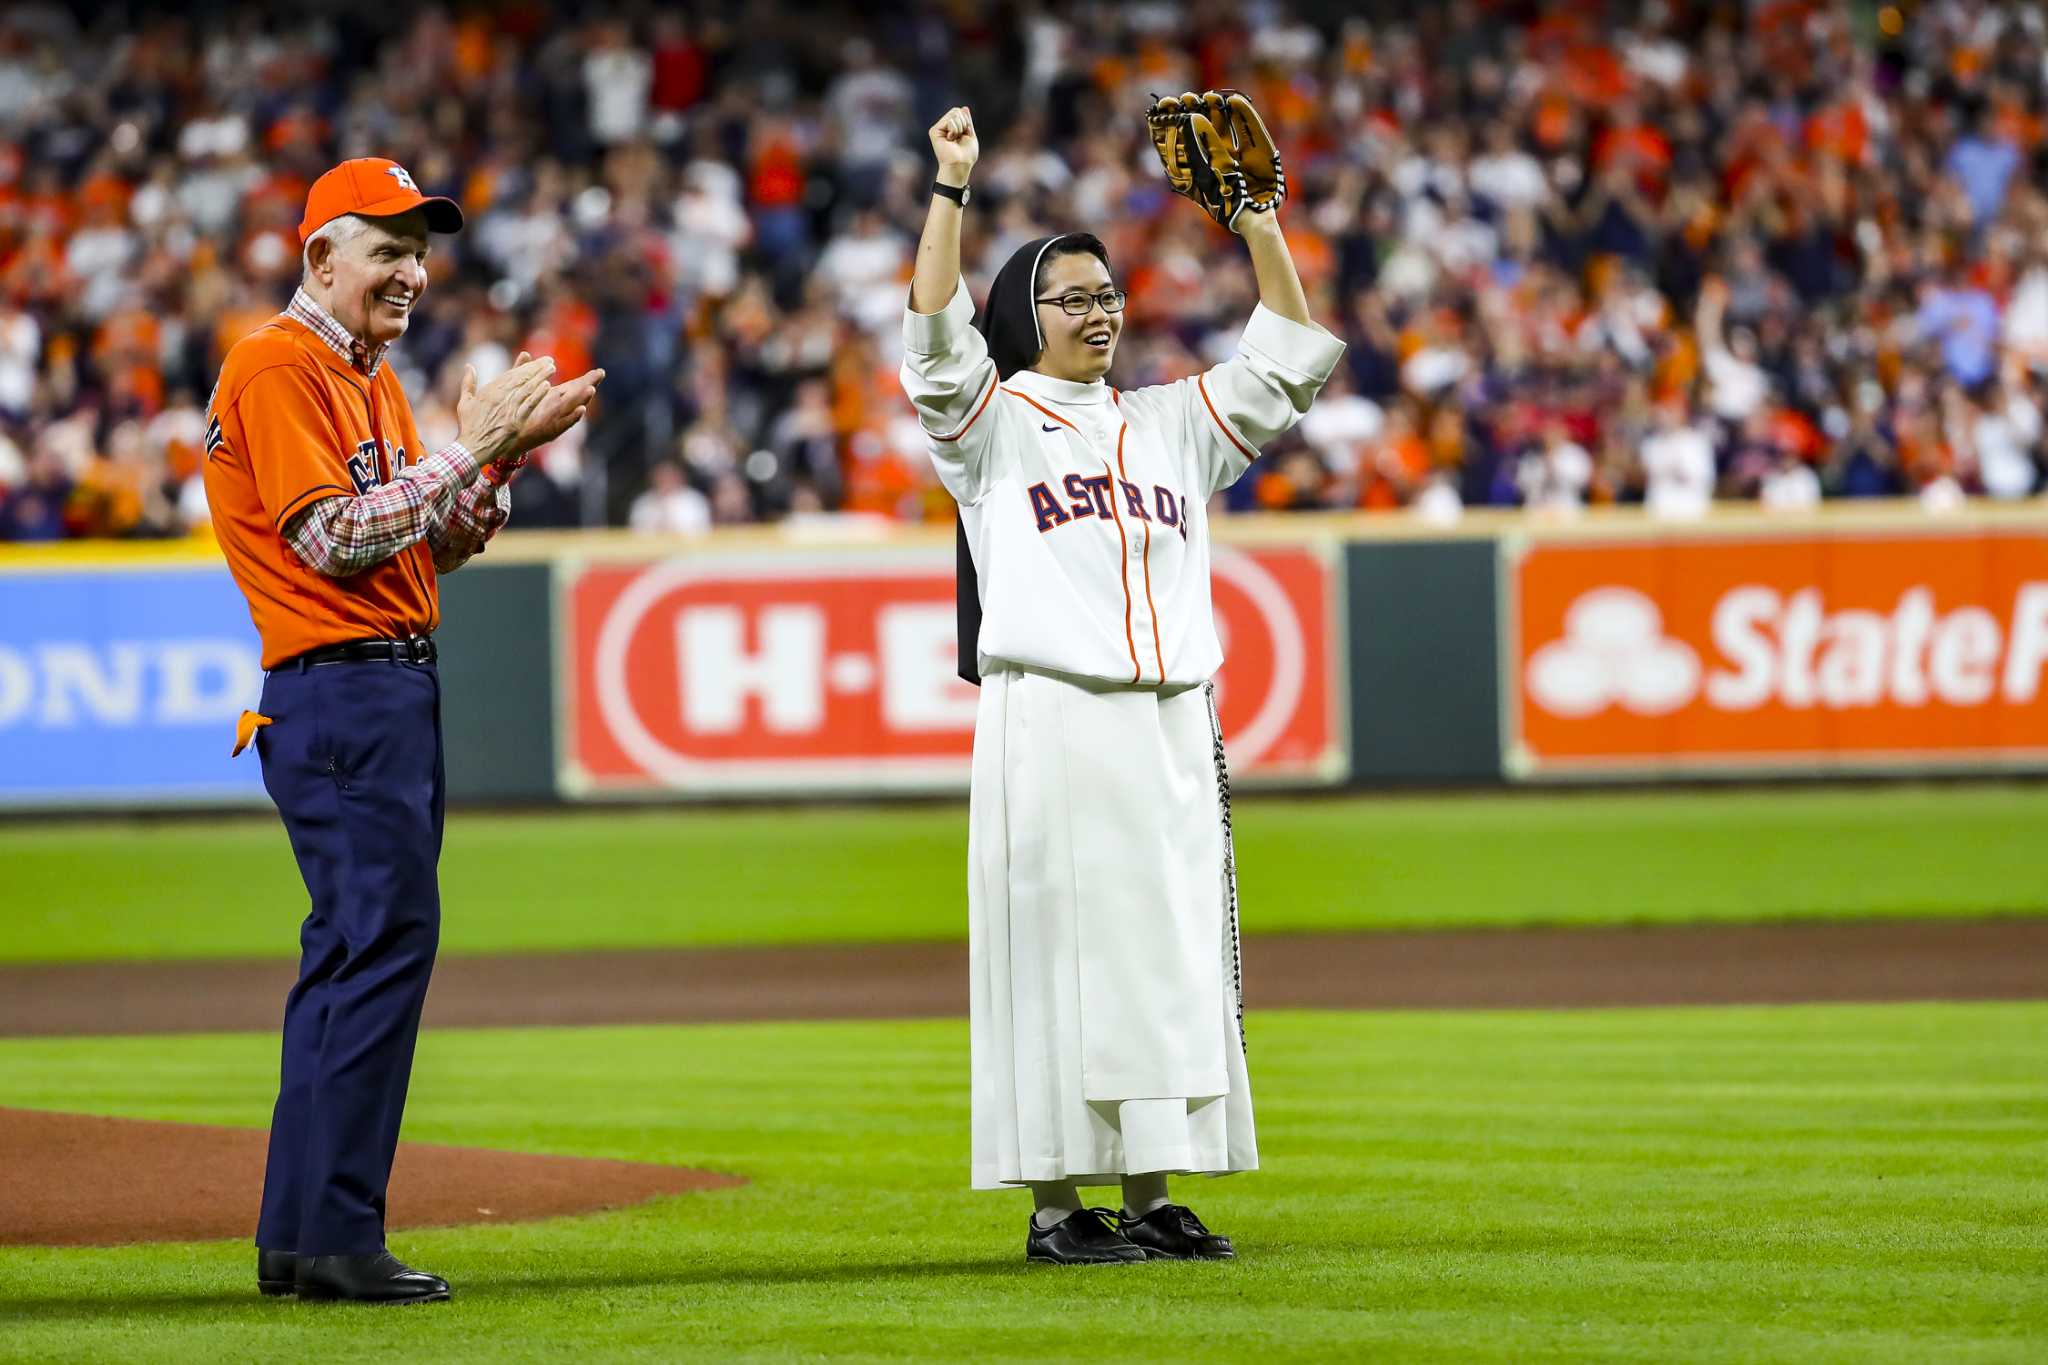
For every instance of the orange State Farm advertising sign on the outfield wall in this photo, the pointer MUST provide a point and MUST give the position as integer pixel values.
(1828, 652)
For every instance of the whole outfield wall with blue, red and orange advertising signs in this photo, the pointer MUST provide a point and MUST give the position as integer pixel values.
(1363, 652)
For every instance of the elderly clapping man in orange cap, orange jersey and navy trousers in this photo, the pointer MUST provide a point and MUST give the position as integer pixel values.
(337, 529)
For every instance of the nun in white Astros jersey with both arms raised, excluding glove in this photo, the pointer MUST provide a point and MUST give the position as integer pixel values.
(1107, 1012)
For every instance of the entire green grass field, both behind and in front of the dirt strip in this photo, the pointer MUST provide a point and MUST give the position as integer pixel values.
(1816, 1184)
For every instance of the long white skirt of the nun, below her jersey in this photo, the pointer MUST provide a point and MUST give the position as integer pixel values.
(1103, 936)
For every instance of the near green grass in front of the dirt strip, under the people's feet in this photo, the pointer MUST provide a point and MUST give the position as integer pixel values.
(1832, 1184)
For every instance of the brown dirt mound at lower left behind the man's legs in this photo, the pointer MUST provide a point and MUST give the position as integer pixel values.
(75, 1180)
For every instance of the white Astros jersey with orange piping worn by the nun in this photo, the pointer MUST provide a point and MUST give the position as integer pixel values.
(1084, 507)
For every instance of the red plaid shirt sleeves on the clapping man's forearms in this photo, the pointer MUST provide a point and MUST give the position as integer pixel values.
(439, 500)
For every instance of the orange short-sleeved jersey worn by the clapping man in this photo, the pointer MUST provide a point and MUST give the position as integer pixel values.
(290, 425)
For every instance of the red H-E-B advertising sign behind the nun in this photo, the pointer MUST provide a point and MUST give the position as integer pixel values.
(794, 674)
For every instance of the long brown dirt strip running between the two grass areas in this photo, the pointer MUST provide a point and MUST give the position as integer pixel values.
(1488, 969)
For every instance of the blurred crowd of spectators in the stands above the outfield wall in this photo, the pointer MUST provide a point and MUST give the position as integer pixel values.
(1582, 253)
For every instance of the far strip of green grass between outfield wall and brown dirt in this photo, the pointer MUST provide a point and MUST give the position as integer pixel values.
(644, 879)
